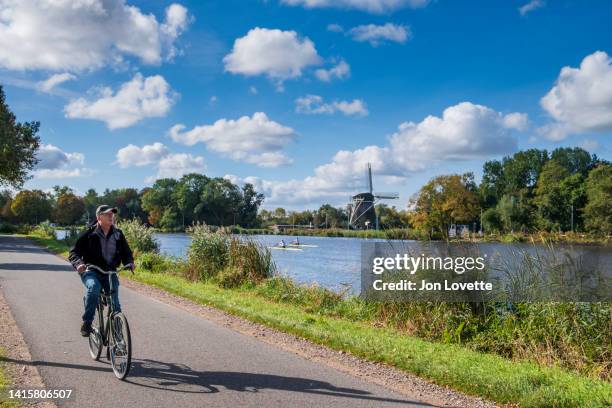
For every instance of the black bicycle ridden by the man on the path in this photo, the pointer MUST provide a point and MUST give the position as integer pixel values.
(115, 334)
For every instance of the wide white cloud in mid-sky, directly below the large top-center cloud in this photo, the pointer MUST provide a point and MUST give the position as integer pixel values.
(255, 139)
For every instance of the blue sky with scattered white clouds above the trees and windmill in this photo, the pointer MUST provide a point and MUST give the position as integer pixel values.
(297, 96)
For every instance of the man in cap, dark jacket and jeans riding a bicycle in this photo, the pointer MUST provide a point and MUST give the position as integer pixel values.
(103, 245)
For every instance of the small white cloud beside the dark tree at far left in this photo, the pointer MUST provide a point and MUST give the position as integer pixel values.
(55, 163)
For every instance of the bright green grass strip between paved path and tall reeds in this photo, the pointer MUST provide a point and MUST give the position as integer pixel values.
(483, 374)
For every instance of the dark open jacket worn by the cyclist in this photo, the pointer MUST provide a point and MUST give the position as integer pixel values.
(87, 250)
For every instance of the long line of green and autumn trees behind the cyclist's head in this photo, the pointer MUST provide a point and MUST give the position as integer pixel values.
(169, 204)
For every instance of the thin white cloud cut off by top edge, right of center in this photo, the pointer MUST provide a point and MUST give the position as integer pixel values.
(372, 6)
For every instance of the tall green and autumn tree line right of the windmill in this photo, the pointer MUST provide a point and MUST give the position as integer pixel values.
(568, 189)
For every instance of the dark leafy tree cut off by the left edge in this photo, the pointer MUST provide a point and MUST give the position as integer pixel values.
(18, 145)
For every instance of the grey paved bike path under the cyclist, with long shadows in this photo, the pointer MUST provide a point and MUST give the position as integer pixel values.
(179, 359)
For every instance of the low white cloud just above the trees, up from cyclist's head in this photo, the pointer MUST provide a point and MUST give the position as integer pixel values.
(168, 164)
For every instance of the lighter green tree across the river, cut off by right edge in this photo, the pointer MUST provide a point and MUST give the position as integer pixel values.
(598, 211)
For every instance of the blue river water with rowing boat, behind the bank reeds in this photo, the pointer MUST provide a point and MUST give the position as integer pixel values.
(335, 263)
